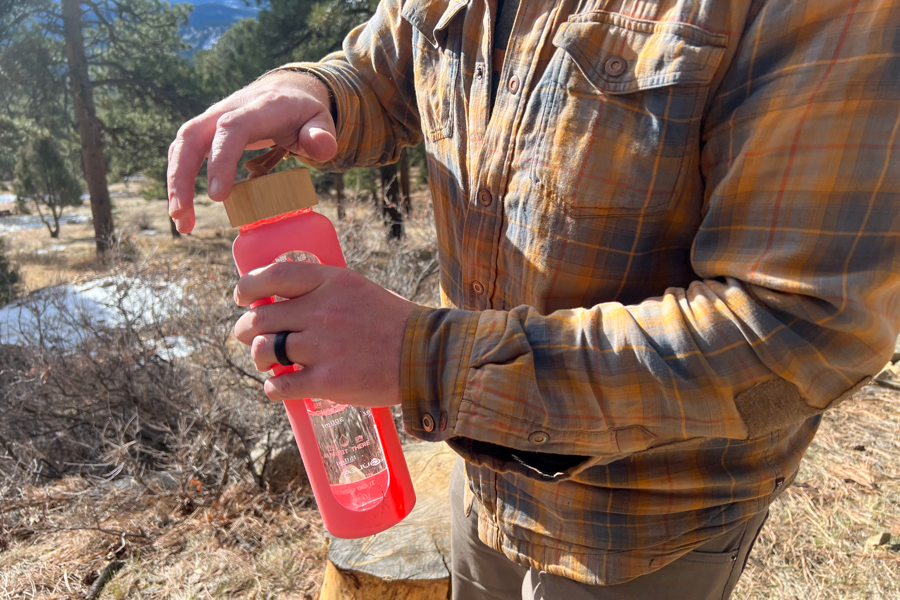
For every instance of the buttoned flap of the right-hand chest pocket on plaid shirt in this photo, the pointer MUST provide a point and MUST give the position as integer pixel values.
(651, 53)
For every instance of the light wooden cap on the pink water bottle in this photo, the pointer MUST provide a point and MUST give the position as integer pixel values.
(269, 196)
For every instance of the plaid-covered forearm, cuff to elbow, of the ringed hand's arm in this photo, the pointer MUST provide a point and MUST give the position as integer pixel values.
(712, 361)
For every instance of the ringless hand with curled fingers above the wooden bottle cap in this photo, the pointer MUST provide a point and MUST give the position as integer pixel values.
(286, 108)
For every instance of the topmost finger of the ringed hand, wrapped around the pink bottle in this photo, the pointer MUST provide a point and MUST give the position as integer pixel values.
(286, 279)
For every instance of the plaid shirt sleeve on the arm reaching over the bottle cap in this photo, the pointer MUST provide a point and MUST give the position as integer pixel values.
(371, 83)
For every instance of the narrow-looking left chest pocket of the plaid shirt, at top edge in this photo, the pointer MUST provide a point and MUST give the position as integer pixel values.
(437, 44)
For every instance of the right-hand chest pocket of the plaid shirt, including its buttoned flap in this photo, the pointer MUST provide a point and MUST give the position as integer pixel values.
(624, 114)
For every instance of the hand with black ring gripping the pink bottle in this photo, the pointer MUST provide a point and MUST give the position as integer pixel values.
(347, 332)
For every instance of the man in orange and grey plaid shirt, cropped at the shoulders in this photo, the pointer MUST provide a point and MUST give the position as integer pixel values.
(668, 236)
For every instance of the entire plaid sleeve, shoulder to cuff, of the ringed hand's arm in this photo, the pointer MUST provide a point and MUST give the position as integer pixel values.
(798, 257)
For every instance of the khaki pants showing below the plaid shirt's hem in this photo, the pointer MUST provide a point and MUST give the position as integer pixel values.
(481, 573)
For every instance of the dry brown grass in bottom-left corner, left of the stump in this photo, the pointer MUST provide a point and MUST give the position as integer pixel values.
(242, 545)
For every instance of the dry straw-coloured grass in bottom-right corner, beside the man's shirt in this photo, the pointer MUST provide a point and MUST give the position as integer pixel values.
(814, 544)
